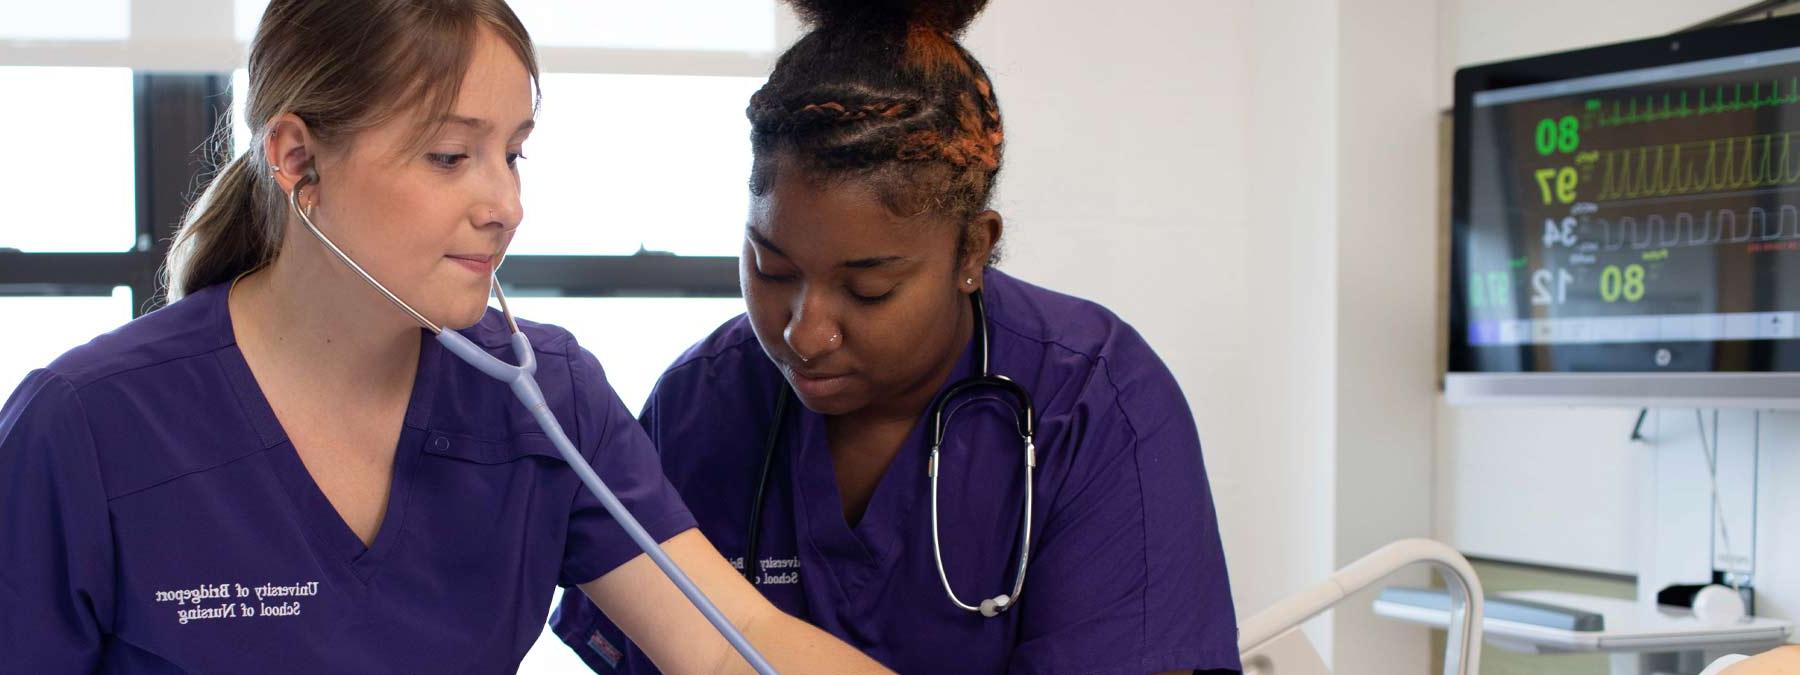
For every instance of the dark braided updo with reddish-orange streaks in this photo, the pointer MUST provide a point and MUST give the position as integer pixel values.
(883, 93)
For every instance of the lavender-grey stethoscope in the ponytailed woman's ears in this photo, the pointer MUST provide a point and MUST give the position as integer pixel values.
(526, 388)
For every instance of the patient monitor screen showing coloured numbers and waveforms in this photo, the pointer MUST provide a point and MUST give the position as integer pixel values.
(1639, 220)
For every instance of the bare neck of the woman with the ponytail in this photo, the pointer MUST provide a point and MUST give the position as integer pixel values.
(312, 318)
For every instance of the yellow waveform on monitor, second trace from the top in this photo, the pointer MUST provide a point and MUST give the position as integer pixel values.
(1700, 166)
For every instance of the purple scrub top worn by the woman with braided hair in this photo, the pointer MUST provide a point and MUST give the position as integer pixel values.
(1126, 573)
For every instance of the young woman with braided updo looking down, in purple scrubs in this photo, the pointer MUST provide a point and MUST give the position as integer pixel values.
(872, 296)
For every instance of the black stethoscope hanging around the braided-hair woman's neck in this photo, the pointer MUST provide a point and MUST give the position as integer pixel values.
(1025, 417)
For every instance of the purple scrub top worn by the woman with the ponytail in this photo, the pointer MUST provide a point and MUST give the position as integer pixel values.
(156, 517)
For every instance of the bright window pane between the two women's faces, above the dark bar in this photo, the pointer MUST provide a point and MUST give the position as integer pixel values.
(638, 163)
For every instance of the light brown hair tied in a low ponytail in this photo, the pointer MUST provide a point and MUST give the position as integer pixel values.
(341, 67)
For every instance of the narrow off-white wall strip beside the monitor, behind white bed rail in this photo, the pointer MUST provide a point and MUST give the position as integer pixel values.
(1387, 298)
